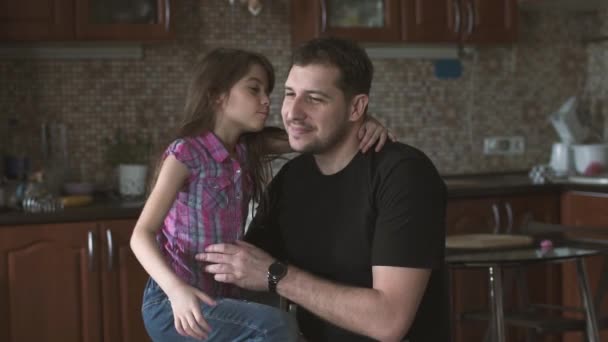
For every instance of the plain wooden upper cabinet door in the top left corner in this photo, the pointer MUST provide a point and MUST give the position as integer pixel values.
(30, 20)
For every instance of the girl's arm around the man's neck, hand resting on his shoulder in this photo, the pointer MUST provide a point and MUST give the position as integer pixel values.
(371, 132)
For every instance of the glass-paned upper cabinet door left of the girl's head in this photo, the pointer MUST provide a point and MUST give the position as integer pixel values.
(123, 19)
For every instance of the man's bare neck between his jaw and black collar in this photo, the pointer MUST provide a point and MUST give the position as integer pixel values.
(337, 158)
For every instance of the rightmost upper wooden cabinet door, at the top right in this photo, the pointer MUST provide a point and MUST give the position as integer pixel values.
(489, 21)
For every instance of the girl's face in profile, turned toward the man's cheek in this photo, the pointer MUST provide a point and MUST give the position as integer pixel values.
(246, 106)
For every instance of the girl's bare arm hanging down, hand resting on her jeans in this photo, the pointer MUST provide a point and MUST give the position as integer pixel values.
(184, 298)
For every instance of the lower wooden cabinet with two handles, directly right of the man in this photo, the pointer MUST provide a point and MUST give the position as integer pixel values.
(469, 287)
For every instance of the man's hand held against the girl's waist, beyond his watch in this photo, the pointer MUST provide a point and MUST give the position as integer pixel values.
(241, 264)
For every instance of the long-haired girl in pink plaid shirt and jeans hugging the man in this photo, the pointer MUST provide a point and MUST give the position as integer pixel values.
(207, 177)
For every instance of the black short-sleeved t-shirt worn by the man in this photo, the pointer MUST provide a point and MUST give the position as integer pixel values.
(384, 208)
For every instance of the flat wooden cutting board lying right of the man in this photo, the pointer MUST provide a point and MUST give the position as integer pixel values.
(480, 241)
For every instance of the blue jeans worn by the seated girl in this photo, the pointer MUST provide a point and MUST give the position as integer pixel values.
(230, 320)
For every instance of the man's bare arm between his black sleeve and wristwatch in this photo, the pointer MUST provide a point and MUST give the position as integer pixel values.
(384, 312)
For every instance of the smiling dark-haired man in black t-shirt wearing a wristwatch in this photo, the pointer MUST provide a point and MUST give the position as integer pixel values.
(355, 240)
